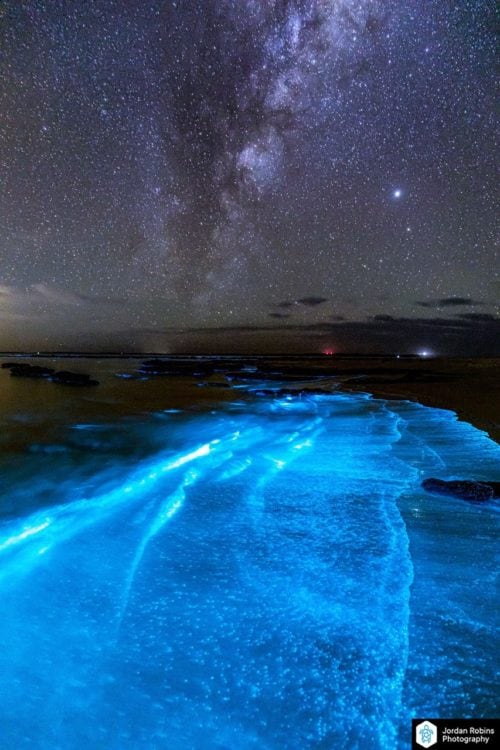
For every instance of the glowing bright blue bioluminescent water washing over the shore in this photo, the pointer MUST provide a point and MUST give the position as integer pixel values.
(275, 578)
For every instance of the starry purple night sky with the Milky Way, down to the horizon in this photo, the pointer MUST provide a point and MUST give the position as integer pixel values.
(248, 176)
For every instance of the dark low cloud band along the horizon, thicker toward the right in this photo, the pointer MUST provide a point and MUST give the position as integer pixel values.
(473, 335)
